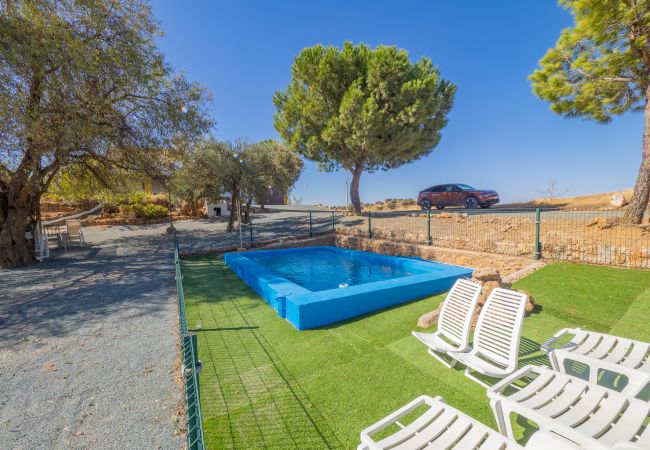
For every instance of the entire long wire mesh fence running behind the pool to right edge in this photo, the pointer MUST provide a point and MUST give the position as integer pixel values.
(595, 236)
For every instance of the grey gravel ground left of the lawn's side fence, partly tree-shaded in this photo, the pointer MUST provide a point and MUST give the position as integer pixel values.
(87, 346)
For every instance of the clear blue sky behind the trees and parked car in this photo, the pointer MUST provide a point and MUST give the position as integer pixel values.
(499, 135)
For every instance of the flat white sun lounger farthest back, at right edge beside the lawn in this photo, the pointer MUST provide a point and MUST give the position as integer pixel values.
(599, 351)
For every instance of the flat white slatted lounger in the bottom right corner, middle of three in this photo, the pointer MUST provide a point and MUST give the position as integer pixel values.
(587, 414)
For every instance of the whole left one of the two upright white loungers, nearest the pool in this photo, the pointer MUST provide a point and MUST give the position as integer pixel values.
(454, 322)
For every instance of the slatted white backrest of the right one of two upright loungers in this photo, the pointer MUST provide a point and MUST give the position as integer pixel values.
(498, 330)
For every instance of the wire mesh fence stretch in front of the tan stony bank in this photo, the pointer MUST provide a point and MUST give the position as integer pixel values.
(590, 236)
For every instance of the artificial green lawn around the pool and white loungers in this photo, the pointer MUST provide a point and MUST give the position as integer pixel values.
(265, 384)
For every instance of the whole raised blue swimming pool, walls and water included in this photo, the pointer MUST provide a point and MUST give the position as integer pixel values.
(316, 286)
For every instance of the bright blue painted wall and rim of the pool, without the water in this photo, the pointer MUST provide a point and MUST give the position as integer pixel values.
(305, 309)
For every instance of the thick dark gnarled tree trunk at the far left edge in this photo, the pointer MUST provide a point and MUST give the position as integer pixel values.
(18, 217)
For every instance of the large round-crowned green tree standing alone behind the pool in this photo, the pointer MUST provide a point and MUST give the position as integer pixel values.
(362, 109)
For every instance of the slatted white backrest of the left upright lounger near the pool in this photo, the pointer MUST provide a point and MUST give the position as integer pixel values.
(457, 311)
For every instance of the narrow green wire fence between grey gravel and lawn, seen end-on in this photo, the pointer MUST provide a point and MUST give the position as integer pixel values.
(191, 365)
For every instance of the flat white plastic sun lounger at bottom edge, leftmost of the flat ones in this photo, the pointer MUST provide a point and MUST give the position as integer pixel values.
(442, 426)
